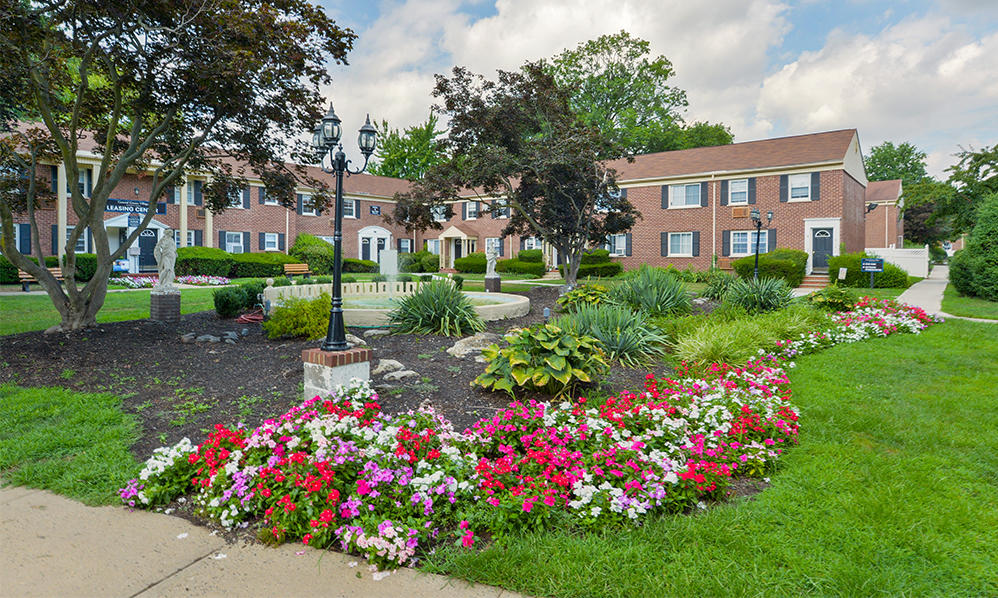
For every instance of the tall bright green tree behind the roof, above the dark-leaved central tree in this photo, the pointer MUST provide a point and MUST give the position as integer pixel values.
(618, 86)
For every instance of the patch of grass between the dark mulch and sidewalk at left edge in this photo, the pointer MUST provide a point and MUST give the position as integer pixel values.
(71, 443)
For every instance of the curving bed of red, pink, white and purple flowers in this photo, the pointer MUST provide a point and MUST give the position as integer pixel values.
(337, 471)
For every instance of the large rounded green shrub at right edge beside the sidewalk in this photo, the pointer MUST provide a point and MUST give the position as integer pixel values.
(974, 269)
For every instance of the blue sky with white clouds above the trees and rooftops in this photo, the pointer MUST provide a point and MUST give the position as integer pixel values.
(922, 71)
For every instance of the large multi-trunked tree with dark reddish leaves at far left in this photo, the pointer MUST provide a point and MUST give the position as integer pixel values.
(167, 88)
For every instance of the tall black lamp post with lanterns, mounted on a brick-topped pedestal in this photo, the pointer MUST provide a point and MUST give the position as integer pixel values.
(326, 139)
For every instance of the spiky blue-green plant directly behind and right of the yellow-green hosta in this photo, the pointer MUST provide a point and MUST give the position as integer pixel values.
(625, 336)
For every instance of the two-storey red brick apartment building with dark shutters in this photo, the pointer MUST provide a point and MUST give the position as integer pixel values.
(695, 204)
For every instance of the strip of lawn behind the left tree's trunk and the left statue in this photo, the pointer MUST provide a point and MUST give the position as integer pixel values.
(23, 313)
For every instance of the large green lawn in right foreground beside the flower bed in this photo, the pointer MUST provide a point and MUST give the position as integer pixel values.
(893, 491)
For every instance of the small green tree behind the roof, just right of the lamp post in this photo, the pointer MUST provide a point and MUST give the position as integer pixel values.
(409, 154)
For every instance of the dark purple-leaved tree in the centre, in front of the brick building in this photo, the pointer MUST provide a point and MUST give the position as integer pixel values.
(517, 138)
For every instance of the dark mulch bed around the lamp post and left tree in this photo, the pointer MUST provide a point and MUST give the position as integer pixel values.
(177, 389)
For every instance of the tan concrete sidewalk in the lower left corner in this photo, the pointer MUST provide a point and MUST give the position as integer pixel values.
(53, 546)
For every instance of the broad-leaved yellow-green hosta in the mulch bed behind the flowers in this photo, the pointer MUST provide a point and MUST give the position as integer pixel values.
(543, 358)
